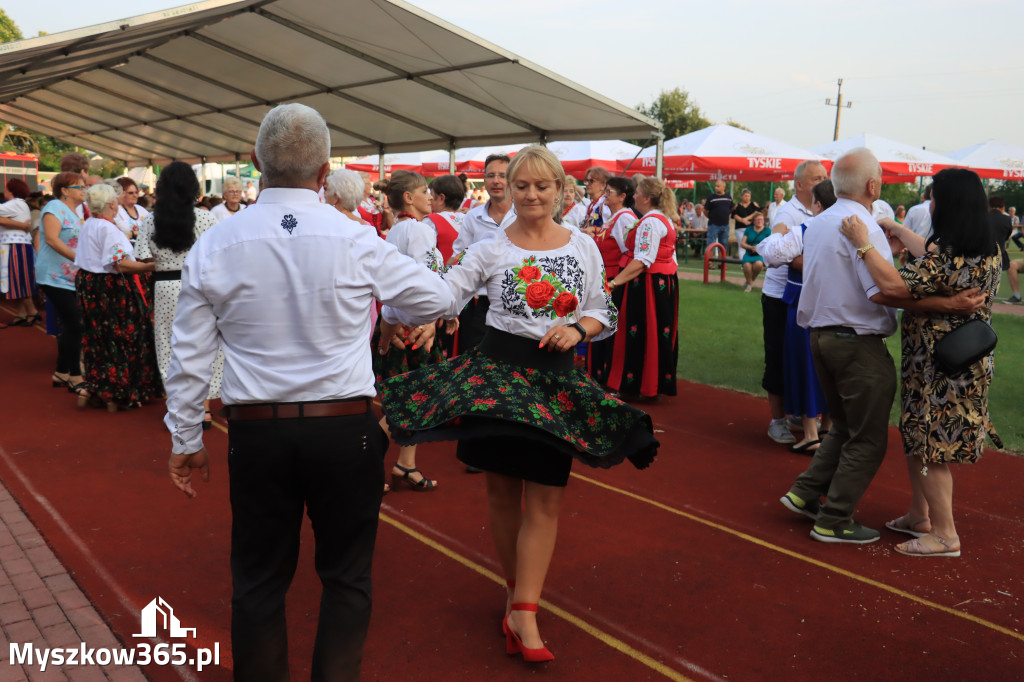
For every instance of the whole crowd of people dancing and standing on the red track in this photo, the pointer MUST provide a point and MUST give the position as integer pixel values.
(525, 324)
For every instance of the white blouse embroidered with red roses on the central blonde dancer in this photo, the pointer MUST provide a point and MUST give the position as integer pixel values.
(497, 267)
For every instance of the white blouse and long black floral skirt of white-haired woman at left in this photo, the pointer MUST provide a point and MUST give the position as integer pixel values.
(117, 317)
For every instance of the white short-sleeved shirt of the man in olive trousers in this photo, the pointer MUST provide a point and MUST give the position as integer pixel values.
(838, 286)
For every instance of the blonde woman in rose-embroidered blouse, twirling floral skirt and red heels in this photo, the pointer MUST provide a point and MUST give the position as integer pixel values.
(518, 398)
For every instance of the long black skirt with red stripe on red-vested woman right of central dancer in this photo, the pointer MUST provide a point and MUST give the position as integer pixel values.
(647, 351)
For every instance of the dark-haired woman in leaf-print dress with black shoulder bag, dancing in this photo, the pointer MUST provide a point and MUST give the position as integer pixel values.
(944, 416)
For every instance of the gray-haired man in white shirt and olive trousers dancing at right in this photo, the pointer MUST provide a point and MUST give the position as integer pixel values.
(849, 318)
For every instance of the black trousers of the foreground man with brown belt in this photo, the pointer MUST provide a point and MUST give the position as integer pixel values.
(333, 467)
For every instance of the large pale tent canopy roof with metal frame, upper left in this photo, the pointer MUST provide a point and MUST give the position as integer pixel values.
(196, 81)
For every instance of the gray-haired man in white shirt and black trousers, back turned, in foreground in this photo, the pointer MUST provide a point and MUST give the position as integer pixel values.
(286, 289)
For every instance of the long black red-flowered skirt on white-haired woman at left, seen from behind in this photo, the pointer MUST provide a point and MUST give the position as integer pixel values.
(117, 337)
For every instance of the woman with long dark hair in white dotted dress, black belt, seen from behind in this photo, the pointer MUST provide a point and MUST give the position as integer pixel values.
(166, 236)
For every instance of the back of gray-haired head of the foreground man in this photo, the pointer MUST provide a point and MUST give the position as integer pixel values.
(292, 146)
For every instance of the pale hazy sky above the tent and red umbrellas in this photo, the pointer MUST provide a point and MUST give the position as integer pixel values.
(936, 74)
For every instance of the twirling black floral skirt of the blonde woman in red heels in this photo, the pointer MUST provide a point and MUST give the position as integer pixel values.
(520, 411)
